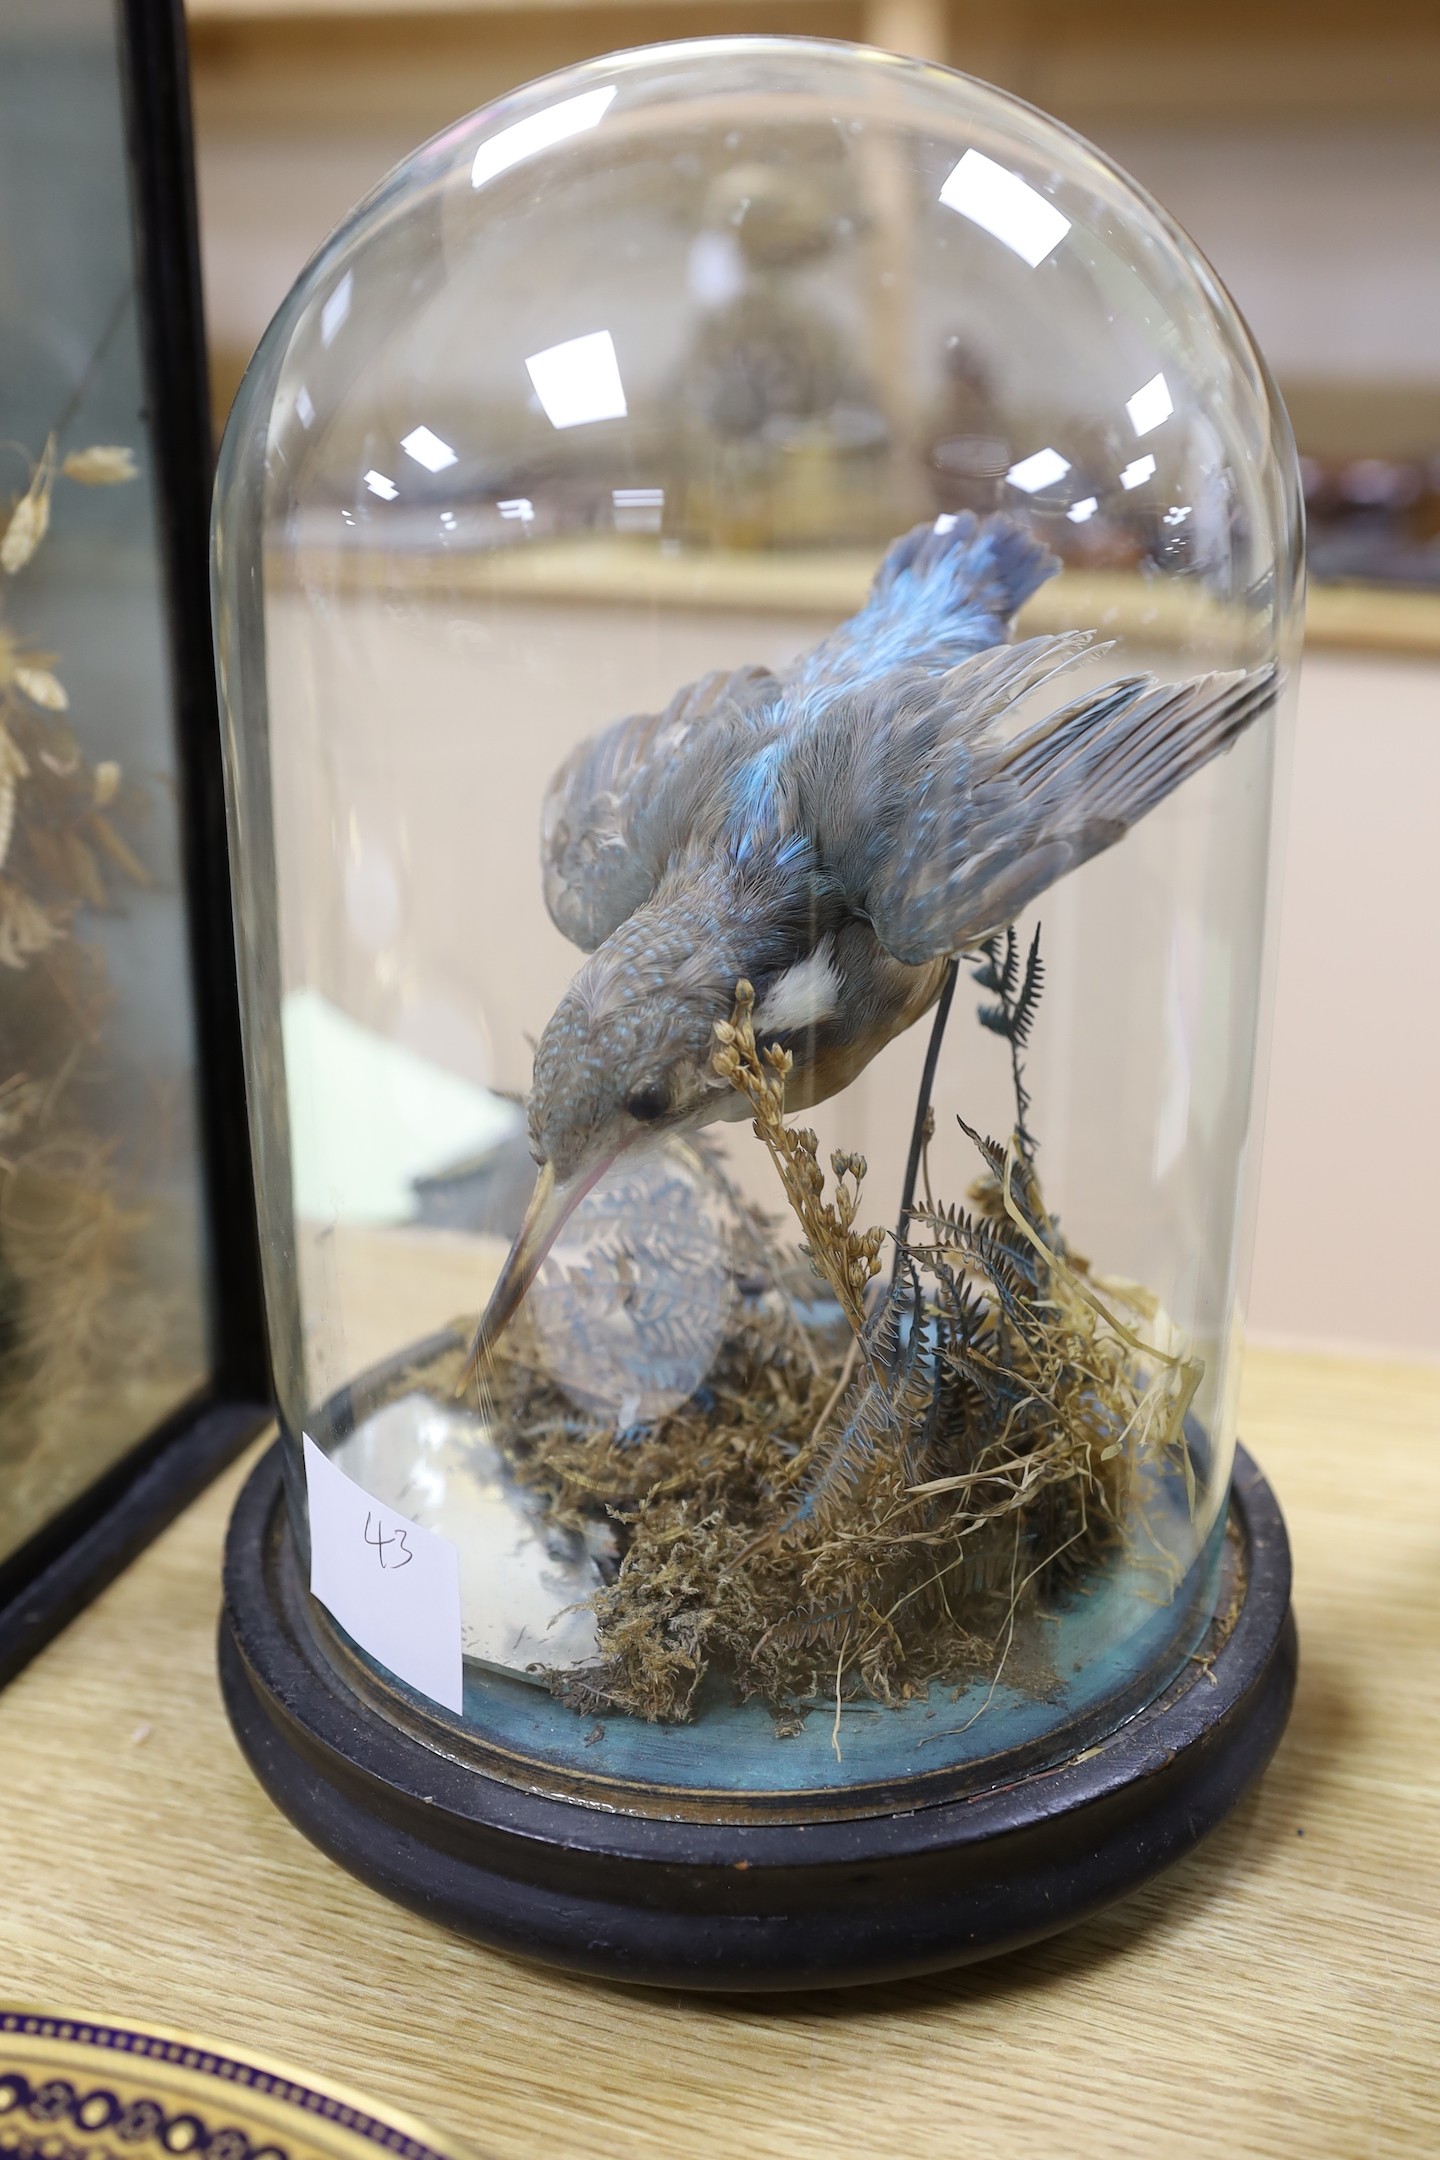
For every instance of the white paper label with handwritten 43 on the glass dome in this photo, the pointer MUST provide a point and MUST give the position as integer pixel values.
(392, 1584)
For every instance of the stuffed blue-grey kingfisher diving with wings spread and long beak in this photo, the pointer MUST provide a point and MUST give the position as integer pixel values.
(832, 835)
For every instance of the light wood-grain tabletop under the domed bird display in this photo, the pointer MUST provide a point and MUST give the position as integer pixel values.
(1273, 1995)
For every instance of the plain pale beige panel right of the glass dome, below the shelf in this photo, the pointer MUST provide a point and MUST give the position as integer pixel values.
(1350, 1176)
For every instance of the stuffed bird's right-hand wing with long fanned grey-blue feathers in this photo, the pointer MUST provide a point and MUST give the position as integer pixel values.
(979, 822)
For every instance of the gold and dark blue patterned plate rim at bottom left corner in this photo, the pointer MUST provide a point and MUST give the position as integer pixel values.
(94, 2090)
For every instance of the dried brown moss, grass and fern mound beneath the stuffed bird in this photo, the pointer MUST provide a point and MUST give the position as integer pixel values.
(867, 1511)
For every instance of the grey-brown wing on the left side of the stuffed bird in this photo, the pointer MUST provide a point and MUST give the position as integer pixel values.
(619, 807)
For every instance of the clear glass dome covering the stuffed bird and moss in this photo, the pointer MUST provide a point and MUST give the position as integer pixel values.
(755, 586)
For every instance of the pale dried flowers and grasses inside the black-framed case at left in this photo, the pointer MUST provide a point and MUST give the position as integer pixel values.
(66, 1226)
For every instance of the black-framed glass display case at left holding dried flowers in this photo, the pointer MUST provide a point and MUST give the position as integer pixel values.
(133, 1353)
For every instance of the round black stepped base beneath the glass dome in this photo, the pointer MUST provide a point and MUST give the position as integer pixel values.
(750, 1906)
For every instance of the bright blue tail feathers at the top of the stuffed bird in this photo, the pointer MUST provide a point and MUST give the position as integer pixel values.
(942, 593)
